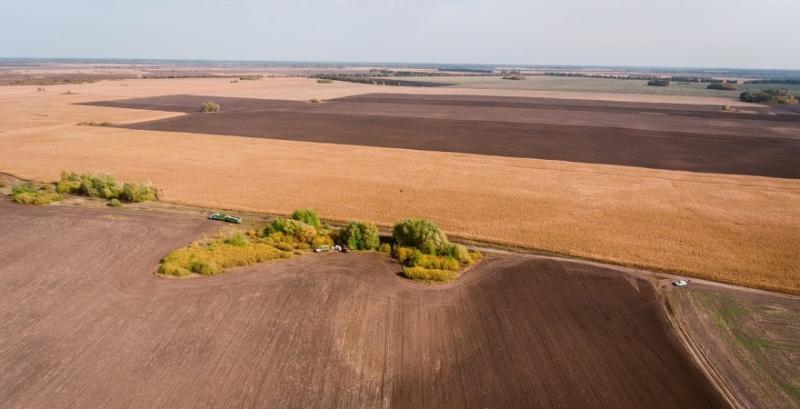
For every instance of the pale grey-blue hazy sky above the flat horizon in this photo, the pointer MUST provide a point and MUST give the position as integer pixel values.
(665, 33)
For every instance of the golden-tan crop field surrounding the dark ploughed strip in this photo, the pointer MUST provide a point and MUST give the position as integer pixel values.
(737, 229)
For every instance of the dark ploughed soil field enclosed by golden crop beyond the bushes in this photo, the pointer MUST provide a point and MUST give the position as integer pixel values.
(761, 141)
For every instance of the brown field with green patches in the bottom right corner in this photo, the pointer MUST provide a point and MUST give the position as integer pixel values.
(750, 339)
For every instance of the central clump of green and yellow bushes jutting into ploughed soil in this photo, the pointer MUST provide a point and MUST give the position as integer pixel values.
(420, 247)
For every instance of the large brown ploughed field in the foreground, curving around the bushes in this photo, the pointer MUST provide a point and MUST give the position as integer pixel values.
(86, 324)
